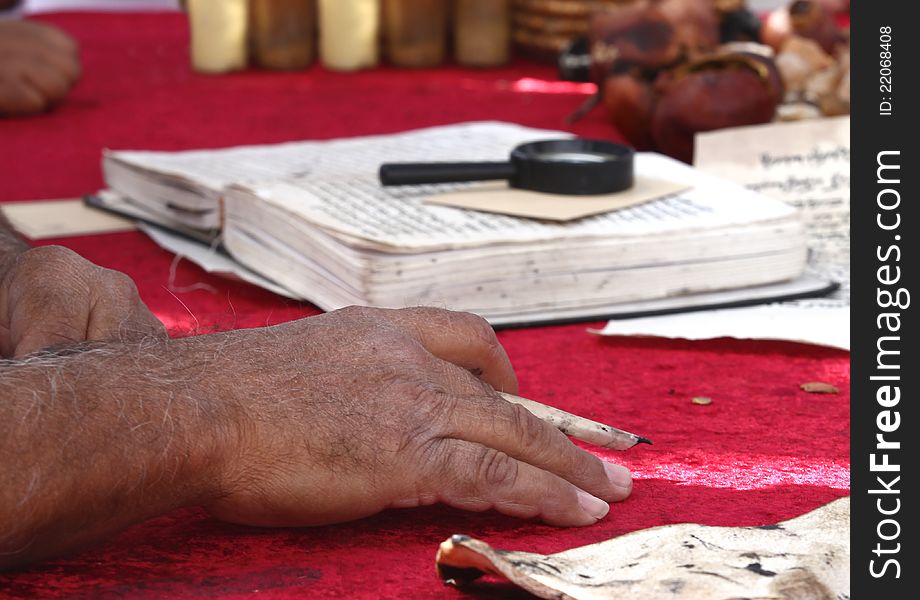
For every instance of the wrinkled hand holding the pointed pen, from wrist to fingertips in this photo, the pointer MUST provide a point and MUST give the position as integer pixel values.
(345, 414)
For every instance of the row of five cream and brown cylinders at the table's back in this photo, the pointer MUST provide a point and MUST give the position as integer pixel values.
(351, 34)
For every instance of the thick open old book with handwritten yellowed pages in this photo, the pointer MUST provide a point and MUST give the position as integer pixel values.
(312, 217)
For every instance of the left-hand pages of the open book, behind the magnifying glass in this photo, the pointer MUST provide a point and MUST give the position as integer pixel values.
(188, 185)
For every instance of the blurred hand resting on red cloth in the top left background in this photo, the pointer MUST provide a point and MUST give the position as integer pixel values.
(38, 66)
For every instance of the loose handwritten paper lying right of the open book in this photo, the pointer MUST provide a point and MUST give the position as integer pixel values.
(805, 164)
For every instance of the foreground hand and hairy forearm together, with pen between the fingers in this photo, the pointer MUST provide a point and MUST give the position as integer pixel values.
(320, 420)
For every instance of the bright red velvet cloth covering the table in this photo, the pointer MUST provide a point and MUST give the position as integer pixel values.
(762, 451)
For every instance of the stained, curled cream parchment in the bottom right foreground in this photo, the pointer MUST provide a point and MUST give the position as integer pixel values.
(806, 558)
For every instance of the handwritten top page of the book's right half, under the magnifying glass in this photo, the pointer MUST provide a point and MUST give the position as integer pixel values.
(398, 219)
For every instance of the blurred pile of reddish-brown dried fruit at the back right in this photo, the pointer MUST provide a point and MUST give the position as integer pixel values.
(662, 78)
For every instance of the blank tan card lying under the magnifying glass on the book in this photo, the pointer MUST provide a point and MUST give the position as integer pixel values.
(499, 197)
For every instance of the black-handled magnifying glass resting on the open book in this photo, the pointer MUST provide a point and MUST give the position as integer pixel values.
(576, 167)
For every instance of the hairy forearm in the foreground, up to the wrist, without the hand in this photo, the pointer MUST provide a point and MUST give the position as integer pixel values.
(103, 436)
